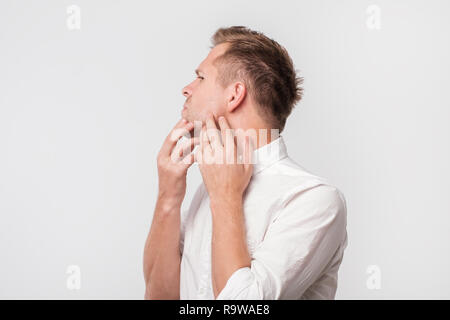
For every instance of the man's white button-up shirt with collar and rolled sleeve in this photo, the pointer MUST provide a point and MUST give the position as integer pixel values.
(296, 235)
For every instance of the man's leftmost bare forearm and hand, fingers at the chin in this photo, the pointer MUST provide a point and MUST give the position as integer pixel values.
(162, 256)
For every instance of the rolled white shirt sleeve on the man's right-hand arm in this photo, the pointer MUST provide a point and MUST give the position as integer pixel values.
(298, 245)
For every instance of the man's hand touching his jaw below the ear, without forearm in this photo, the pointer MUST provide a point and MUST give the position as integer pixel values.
(225, 174)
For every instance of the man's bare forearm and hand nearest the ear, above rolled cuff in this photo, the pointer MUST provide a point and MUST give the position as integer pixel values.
(225, 179)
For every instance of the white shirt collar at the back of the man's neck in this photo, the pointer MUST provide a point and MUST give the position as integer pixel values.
(268, 154)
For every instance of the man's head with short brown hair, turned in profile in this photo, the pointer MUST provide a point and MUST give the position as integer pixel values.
(248, 78)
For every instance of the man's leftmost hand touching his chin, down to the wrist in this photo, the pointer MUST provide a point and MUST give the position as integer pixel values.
(173, 162)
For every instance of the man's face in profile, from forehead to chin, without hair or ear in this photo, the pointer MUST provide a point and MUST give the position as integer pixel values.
(204, 94)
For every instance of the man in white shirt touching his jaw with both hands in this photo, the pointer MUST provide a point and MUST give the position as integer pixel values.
(261, 228)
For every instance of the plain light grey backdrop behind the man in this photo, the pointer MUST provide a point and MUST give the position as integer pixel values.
(83, 113)
